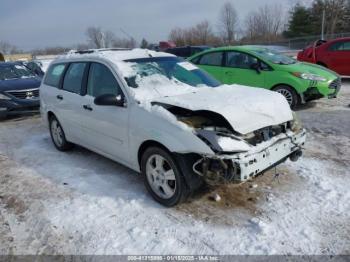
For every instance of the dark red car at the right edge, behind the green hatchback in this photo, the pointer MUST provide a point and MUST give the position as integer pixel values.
(333, 54)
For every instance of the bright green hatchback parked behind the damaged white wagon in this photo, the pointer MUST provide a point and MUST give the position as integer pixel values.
(261, 67)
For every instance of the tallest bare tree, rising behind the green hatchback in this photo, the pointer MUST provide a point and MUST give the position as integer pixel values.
(228, 23)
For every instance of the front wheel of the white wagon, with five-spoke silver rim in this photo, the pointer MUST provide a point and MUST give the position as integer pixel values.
(163, 178)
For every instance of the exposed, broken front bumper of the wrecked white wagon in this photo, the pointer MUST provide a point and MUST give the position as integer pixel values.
(240, 167)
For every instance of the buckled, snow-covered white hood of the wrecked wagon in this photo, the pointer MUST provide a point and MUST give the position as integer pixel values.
(246, 108)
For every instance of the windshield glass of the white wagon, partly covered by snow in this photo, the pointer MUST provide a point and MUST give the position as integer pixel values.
(174, 68)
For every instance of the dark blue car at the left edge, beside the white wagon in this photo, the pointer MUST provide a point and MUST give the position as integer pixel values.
(19, 90)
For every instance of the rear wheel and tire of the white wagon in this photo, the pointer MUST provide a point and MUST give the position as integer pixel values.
(57, 135)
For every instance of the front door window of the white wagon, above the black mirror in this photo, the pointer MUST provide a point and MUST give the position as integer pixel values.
(101, 81)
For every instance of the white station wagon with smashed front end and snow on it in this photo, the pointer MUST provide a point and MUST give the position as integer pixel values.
(166, 118)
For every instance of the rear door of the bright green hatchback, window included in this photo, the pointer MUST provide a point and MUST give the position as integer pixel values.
(212, 63)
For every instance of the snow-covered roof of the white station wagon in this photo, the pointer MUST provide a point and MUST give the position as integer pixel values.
(114, 55)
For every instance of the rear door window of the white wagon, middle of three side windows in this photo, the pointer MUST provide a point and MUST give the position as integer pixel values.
(73, 79)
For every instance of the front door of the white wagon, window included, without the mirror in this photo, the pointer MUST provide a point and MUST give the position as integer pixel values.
(106, 126)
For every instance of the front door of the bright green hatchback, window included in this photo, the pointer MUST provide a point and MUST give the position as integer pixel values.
(238, 70)
